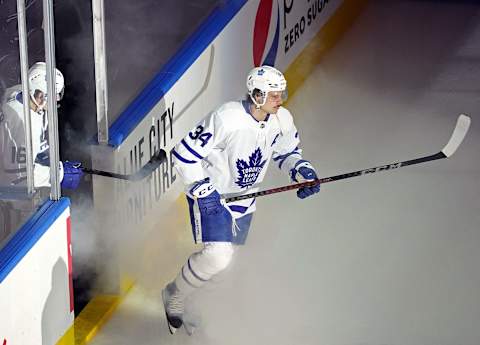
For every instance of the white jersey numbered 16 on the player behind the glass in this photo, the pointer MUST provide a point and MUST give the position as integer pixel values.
(12, 144)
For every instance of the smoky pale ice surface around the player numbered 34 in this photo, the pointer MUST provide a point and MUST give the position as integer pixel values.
(384, 259)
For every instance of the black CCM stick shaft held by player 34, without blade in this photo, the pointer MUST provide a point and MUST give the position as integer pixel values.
(368, 171)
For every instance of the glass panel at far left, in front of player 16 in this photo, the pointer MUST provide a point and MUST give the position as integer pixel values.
(16, 205)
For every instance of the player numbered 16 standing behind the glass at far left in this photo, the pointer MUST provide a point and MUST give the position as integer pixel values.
(12, 138)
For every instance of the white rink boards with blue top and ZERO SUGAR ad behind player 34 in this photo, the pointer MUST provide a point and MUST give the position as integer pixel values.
(208, 70)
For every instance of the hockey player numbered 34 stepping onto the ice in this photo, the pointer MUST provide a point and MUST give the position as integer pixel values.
(228, 152)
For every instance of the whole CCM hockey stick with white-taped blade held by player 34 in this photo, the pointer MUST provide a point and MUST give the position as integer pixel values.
(461, 129)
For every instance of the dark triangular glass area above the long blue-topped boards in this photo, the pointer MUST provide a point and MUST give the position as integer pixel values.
(141, 36)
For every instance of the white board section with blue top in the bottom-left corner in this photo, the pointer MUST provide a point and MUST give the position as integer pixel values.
(36, 291)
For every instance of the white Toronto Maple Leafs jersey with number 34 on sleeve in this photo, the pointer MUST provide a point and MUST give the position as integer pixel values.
(234, 149)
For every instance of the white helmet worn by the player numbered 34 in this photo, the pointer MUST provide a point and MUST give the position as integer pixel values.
(264, 79)
